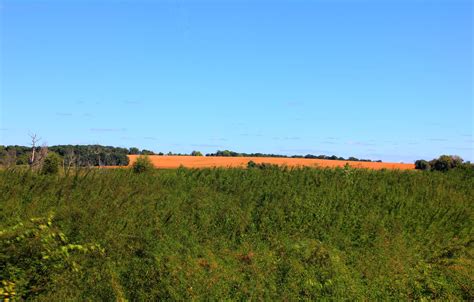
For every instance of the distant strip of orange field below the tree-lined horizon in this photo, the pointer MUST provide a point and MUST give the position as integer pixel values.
(170, 162)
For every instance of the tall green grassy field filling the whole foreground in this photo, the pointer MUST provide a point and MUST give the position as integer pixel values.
(215, 234)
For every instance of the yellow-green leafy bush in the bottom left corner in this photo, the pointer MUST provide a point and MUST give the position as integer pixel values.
(36, 257)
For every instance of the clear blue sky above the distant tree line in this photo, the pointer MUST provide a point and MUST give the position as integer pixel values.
(390, 80)
